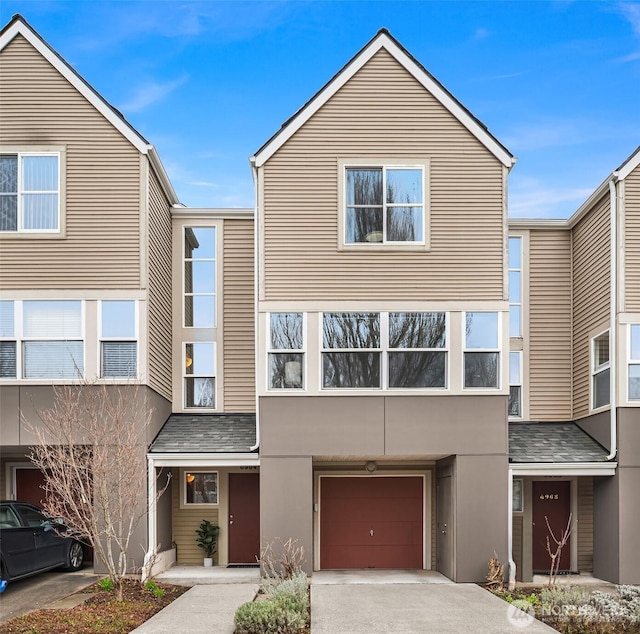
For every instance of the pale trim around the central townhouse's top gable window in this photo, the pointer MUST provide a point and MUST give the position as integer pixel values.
(384, 163)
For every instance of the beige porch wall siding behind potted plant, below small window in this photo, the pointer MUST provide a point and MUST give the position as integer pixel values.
(185, 523)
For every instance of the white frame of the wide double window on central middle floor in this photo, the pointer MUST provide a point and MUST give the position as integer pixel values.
(383, 350)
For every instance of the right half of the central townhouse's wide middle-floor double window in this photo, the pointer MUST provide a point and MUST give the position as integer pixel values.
(417, 350)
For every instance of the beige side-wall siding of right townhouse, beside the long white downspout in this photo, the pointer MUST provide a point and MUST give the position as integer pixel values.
(591, 279)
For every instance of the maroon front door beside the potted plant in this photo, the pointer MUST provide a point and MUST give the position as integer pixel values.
(244, 518)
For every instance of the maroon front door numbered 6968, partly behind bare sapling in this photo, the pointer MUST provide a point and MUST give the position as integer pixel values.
(551, 499)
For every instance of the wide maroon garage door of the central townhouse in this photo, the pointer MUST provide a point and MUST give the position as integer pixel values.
(371, 522)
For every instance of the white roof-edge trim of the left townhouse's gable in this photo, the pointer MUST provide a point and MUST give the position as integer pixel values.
(19, 26)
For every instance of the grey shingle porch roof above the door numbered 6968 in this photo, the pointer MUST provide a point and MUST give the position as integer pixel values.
(553, 442)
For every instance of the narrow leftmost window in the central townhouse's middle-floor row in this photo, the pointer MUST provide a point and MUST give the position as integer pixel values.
(286, 351)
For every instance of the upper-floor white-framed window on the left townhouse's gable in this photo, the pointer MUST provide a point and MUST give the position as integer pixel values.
(30, 192)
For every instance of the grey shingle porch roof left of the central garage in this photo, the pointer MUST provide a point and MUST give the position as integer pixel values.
(206, 433)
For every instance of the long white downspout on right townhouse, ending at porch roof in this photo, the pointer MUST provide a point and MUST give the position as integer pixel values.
(613, 289)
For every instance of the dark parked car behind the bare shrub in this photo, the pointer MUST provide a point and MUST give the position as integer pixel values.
(30, 543)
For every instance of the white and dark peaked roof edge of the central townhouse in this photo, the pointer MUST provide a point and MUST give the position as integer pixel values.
(383, 40)
